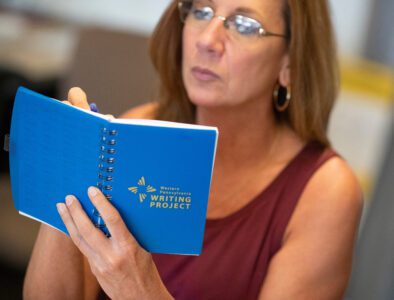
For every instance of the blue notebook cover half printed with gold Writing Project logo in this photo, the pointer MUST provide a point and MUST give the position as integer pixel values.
(161, 184)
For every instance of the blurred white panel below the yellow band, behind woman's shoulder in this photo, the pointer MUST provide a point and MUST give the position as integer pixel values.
(359, 131)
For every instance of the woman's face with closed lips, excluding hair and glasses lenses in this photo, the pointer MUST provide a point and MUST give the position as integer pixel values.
(221, 67)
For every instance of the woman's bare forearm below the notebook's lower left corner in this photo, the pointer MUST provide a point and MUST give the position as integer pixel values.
(58, 270)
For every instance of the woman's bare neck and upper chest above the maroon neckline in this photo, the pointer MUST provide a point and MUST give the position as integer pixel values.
(252, 149)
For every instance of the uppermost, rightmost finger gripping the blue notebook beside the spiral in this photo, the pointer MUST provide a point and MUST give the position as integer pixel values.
(111, 217)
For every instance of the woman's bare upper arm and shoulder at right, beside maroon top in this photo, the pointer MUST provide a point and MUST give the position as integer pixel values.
(314, 261)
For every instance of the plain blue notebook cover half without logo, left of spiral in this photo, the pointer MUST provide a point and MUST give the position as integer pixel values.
(54, 150)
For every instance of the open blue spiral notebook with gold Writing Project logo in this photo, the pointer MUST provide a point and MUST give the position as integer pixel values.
(157, 174)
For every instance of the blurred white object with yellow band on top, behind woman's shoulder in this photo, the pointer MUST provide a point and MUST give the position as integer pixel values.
(361, 120)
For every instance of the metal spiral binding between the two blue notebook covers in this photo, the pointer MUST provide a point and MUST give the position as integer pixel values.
(105, 174)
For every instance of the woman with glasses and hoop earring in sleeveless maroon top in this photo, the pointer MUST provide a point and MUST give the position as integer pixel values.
(284, 208)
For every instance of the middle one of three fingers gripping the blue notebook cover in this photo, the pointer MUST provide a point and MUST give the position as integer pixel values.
(92, 235)
